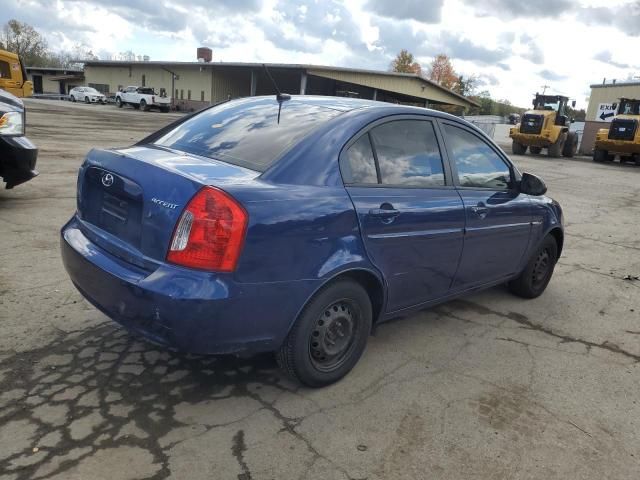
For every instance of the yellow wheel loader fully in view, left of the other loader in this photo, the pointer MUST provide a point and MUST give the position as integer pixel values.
(546, 126)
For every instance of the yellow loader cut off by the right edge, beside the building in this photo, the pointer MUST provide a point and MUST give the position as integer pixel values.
(623, 135)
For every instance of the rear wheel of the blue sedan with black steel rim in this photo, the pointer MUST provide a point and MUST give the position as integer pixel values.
(339, 314)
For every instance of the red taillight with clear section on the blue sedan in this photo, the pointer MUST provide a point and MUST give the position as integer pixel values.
(210, 232)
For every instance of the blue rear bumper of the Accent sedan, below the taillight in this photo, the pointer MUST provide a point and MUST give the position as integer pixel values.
(192, 311)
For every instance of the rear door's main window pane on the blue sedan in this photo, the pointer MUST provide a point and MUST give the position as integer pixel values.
(408, 153)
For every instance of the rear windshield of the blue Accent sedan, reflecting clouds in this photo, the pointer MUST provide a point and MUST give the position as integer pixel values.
(247, 133)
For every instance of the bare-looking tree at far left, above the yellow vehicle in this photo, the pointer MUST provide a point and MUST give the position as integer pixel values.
(23, 39)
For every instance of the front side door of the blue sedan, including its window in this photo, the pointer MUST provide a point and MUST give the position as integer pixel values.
(498, 217)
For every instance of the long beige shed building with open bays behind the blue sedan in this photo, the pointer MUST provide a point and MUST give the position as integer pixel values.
(194, 85)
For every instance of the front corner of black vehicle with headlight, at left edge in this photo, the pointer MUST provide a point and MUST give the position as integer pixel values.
(17, 154)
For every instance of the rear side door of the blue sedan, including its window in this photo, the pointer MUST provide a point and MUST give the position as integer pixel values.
(411, 216)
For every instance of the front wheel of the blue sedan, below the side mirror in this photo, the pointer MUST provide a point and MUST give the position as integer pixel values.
(536, 275)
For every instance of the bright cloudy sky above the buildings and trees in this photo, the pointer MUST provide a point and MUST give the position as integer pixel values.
(513, 47)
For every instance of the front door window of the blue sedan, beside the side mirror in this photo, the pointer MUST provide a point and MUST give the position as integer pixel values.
(478, 165)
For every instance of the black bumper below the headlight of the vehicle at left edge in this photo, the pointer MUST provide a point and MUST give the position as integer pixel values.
(17, 160)
